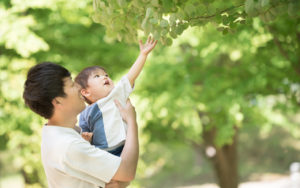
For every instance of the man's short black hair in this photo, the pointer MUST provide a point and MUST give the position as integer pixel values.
(44, 82)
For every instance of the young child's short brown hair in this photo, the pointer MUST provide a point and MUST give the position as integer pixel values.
(83, 76)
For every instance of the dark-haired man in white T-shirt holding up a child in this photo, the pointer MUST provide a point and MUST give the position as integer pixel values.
(69, 160)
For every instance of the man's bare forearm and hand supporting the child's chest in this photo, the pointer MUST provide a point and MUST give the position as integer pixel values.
(127, 169)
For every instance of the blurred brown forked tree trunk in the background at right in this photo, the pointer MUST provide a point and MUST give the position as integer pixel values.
(224, 159)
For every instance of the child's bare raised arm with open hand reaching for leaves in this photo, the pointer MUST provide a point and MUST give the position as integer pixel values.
(136, 68)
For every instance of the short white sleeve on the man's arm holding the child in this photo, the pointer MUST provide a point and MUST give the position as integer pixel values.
(89, 163)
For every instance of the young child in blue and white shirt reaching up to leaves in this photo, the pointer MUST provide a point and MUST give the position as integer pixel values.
(101, 122)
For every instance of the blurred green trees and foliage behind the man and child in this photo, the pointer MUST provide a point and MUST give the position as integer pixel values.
(208, 105)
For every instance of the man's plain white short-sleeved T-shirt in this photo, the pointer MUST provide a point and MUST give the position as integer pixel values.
(71, 161)
